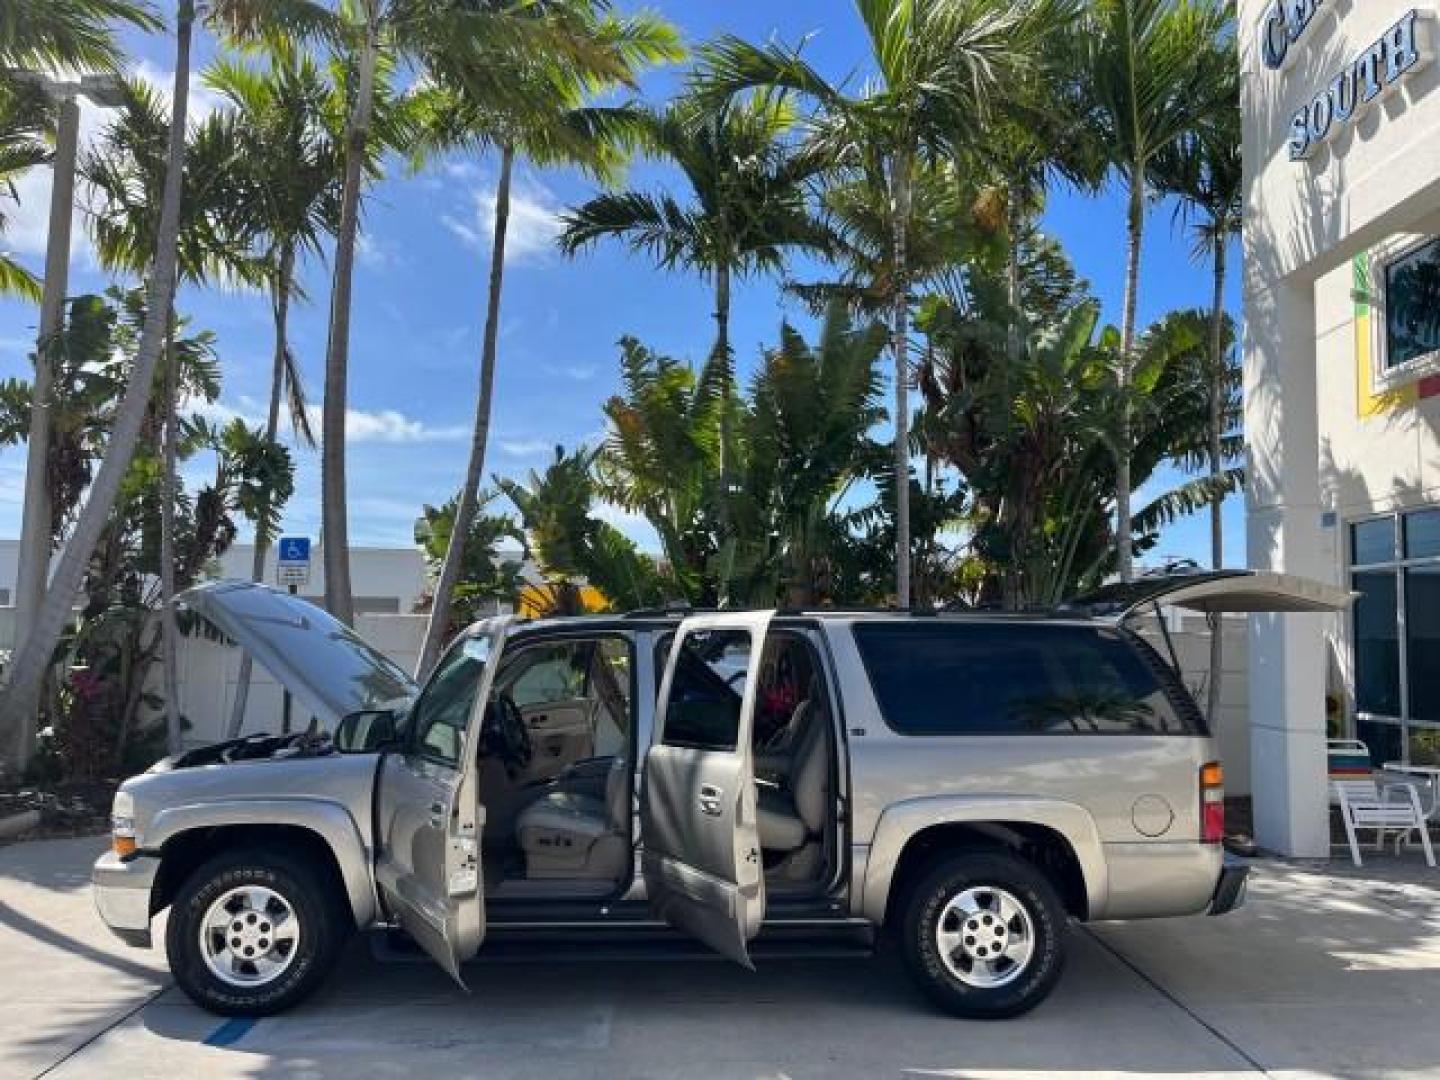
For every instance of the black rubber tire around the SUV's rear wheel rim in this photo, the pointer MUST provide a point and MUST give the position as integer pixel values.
(1026, 984)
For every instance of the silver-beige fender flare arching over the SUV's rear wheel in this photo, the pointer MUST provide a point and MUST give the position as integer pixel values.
(905, 820)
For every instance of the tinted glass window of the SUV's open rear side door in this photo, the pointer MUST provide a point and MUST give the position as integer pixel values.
(706, 693)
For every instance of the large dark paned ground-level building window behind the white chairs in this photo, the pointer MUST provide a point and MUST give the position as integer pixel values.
(1396, 621)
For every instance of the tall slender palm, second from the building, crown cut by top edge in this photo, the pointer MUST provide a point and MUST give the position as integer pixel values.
(1153, 70)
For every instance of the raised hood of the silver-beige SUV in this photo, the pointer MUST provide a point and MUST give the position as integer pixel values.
(329, 669)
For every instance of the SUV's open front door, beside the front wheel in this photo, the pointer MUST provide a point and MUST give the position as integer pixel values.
(428, 862)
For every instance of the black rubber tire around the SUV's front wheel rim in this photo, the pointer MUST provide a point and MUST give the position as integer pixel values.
(323, 917)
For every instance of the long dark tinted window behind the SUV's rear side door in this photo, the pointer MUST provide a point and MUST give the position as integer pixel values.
(976, 679)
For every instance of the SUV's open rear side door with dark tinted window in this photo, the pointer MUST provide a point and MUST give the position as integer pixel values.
(702, 856)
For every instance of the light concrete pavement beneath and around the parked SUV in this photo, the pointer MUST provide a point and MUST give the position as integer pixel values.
(1321, 974)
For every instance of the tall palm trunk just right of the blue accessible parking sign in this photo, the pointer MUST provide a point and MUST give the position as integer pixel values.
(335, 526)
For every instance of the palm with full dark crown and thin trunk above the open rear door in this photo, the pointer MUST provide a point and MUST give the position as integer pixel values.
(748, 191)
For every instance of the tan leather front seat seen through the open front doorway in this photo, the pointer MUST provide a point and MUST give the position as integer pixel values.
(568, 836)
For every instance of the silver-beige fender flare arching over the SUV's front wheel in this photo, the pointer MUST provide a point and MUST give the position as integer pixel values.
(326, 819)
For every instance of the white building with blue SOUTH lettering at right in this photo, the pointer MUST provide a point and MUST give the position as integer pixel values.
(1343, 384)
